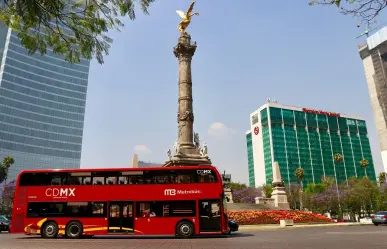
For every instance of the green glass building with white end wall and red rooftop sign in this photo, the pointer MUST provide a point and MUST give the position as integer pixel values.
(309, 139)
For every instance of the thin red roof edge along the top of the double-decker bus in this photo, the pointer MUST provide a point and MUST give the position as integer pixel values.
(114, 169)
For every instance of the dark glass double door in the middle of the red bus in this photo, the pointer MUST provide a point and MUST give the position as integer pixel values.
(121, 217)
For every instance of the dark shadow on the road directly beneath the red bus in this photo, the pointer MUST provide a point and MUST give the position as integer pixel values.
(235, 235)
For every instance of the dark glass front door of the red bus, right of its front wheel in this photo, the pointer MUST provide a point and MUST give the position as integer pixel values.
(210, 216)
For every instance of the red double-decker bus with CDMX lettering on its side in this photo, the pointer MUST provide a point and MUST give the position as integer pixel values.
(182, 201)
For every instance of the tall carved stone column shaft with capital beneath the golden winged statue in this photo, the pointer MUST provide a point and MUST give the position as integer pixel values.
(184, 51)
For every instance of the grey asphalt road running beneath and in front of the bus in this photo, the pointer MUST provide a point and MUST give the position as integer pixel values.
(354, 237)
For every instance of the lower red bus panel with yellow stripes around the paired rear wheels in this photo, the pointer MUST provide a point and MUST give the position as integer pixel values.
(91, 226)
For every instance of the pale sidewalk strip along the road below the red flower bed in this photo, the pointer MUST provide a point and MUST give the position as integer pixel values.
(277, 226)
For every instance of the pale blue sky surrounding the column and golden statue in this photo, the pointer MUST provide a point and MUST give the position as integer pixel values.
(247, 52)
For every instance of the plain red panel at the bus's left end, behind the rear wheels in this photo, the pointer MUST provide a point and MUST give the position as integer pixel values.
(19, 210)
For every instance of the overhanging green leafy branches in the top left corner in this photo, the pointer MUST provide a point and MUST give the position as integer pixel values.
(71, 28)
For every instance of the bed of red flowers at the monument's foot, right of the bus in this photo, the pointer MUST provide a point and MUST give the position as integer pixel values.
(273, 217)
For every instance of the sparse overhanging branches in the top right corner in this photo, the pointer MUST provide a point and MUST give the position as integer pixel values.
(367, 10)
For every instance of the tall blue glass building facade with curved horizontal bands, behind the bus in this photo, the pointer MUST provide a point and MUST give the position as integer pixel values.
(42, 107)
